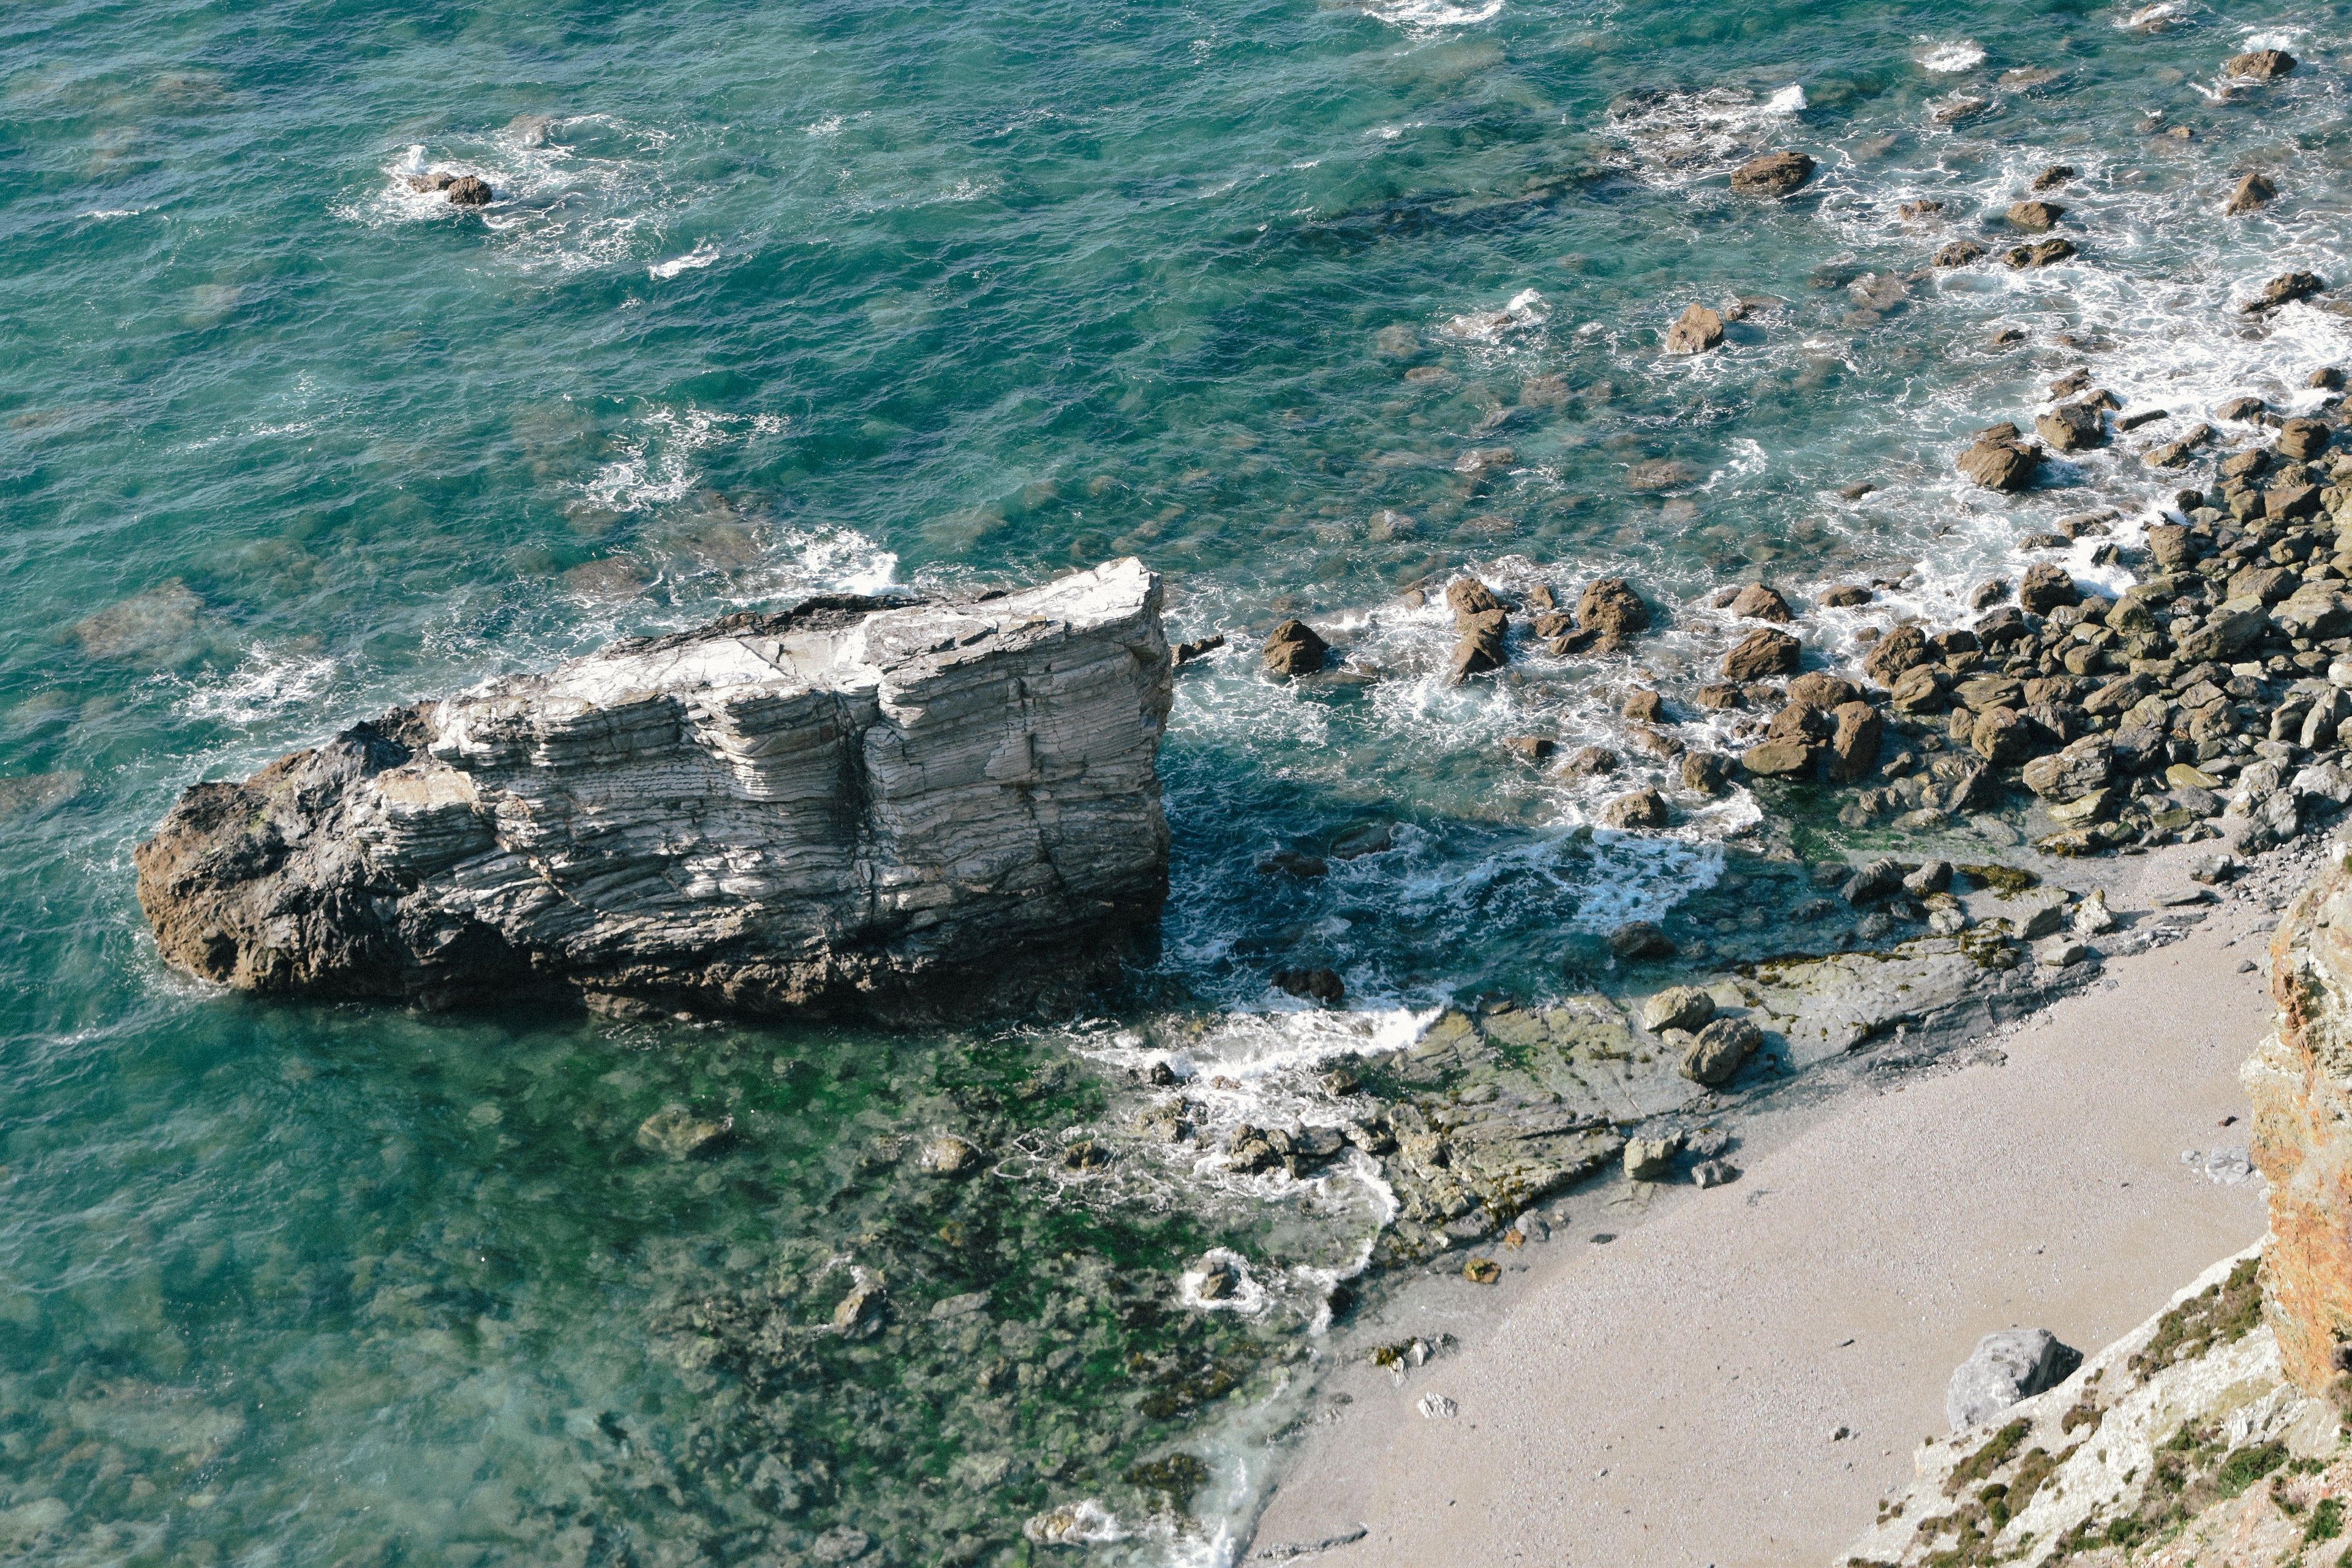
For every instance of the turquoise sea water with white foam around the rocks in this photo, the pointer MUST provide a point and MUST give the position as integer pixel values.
(791, 297)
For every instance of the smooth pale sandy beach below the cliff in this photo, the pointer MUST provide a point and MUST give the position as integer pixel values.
(1744, 1374)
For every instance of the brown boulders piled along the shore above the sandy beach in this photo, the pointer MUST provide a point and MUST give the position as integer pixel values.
(2212, 690)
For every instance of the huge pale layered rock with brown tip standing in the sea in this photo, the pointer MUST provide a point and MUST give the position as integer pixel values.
(857, 808)
